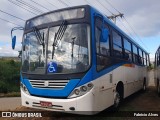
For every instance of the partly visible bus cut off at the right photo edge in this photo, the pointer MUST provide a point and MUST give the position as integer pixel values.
(157, 70)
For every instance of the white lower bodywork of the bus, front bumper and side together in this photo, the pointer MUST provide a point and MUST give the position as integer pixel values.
(98, 98)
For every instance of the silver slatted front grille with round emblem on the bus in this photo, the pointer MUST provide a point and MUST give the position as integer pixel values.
(53, 84)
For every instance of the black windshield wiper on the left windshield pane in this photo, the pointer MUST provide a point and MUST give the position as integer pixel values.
(39, 37)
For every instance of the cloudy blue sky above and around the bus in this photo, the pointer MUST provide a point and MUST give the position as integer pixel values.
(141, 19)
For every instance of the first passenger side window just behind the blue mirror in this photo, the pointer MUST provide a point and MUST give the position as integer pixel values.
(117, 45)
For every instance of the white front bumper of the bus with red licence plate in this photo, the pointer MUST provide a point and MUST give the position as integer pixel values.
(79, 105)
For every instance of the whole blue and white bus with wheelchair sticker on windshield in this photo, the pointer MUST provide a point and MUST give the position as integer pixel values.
(76, 59)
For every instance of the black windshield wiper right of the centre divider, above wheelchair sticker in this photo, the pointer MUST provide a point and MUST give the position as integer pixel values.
(59, 35)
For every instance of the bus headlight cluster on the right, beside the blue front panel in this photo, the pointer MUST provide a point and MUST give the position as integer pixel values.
(81, 90)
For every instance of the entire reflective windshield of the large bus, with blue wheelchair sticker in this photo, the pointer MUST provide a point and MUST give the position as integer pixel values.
(69, 55)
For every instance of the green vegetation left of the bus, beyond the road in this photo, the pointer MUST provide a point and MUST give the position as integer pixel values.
(9, 76)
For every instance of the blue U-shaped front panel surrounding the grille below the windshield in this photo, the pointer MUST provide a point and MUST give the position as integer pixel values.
(49, 92)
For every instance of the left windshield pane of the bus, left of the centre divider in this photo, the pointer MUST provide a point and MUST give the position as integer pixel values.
(33, 58)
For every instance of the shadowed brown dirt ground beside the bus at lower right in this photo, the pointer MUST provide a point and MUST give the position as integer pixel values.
(148, 101)
